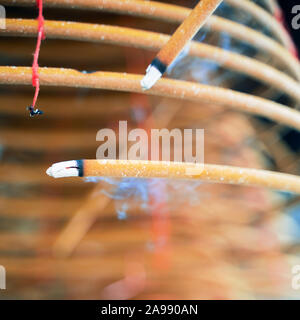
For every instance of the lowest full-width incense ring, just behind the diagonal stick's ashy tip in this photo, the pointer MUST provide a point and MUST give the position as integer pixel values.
(165, 87)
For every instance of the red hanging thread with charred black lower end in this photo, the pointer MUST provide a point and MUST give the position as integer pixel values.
(35, 65)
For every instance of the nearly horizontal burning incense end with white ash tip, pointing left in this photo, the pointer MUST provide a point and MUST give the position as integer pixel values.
(175, 170)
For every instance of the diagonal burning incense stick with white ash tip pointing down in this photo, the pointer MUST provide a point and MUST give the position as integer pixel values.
(186, 31)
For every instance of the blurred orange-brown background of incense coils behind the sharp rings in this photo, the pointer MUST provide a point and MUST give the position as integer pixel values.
(133, 238)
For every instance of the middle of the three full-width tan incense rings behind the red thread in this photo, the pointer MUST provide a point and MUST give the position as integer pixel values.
(155, 41)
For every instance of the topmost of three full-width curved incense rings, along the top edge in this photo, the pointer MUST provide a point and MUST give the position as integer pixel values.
(177, 14)
